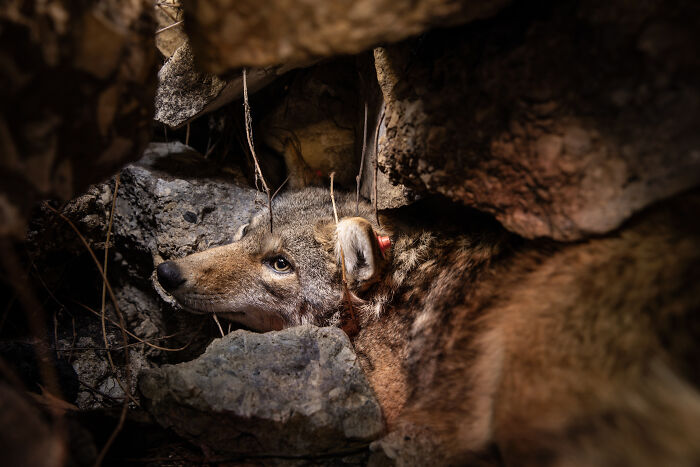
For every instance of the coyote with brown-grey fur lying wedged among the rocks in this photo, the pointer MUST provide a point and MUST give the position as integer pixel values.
(489, 346)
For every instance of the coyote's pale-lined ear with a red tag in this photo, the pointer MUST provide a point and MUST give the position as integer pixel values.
(363, 249)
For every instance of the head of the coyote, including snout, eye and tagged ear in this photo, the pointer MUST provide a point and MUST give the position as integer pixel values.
(271, 280)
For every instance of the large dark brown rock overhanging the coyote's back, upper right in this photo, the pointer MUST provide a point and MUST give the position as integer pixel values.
(560, 119)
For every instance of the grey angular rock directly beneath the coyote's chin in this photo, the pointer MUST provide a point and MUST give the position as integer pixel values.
(297, 392)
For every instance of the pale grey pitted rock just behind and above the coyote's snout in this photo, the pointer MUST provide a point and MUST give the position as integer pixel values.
(172, 203)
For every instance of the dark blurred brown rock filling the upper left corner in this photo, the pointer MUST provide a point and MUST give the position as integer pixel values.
(76, 100)
